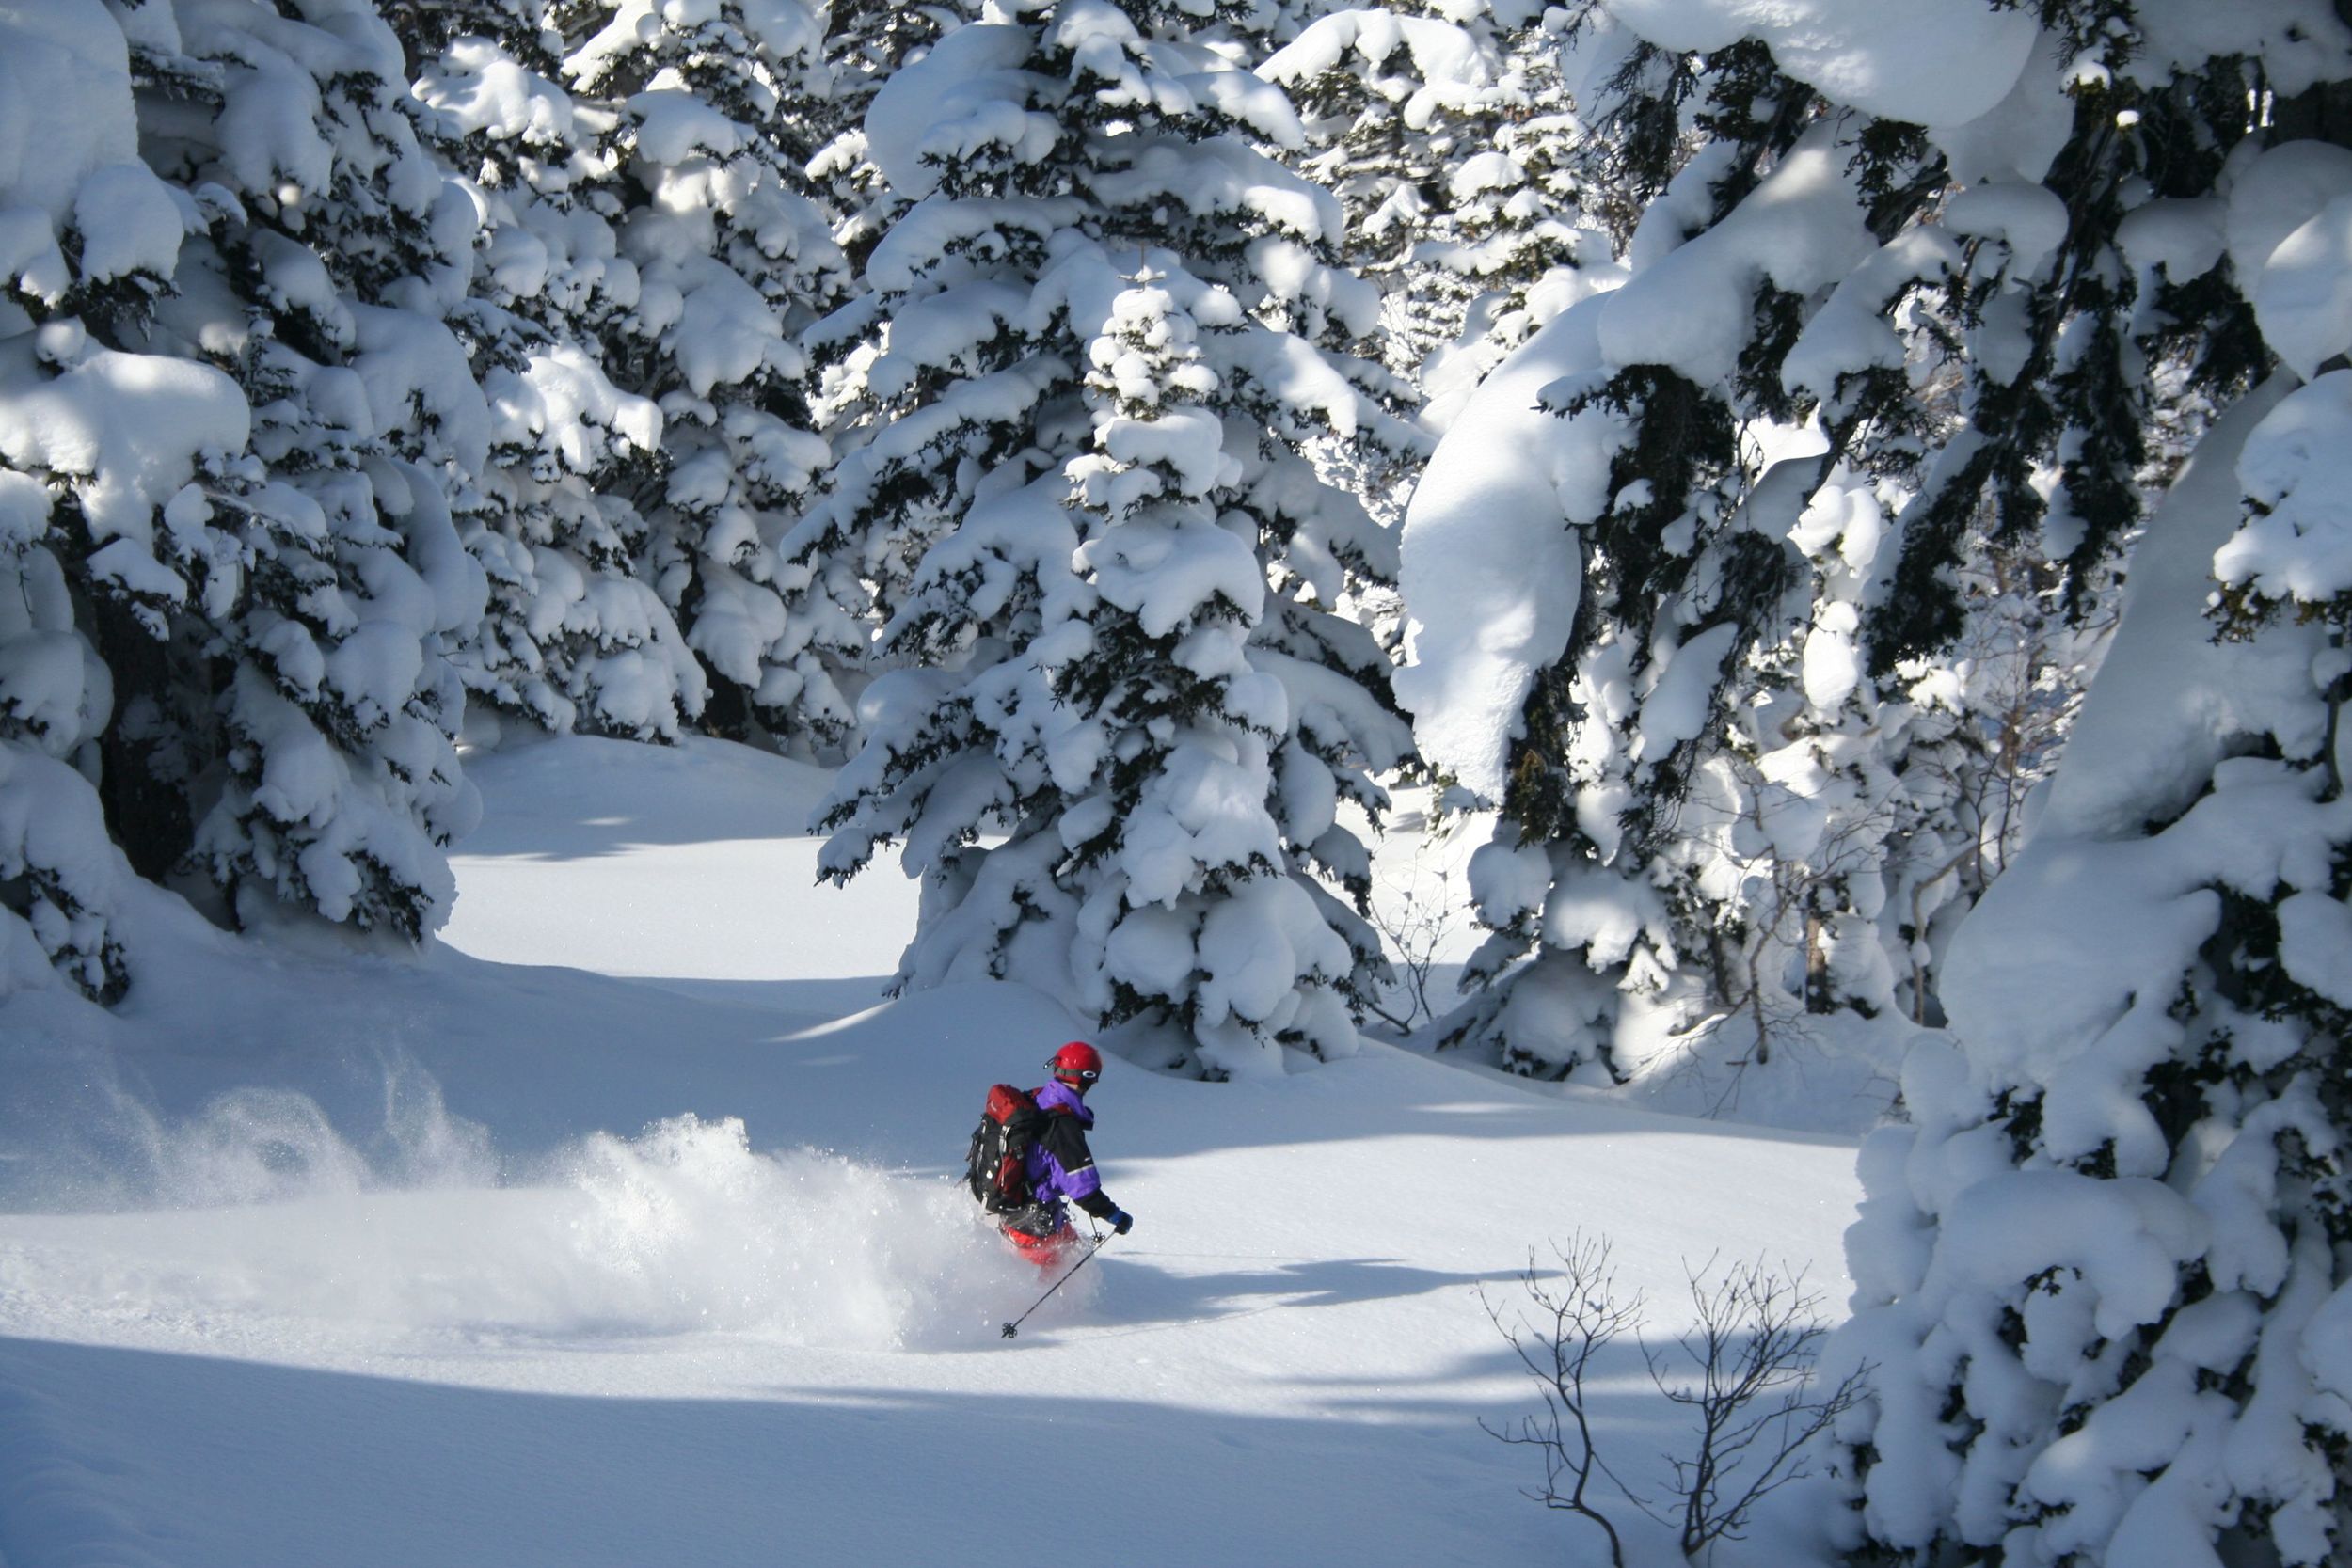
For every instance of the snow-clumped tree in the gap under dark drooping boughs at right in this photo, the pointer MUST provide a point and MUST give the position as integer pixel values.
(1824, 843)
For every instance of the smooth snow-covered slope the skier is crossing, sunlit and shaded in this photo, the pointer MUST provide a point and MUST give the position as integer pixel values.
(330, 1259)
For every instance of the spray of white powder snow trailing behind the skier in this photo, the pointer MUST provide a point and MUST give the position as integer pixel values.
(262, 1221)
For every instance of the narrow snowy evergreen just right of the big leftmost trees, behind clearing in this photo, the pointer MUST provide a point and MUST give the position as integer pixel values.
(575, 636)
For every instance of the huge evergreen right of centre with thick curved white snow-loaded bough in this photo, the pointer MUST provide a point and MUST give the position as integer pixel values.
(1822, 293)
